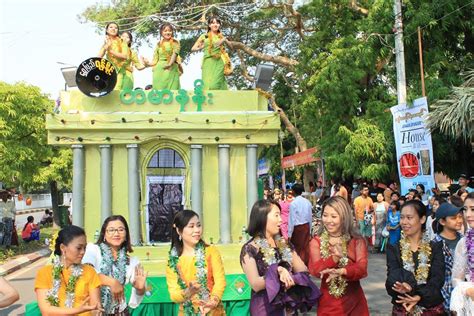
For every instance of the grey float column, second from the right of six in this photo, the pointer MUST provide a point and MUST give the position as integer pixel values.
(224, 193)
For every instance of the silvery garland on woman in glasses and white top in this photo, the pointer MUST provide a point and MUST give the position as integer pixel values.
(116, 269)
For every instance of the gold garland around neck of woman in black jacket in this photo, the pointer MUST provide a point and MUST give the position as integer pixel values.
(424, 252)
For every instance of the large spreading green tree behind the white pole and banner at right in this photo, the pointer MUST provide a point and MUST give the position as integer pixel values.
(336, 57)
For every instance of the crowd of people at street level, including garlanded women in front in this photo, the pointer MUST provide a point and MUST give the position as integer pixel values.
(426, 275)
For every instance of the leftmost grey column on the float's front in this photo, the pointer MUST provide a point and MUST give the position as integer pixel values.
(78, 185)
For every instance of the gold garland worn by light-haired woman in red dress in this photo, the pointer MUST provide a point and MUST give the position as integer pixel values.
(337, 285)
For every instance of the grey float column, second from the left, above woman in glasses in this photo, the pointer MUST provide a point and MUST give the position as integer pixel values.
(105, 182)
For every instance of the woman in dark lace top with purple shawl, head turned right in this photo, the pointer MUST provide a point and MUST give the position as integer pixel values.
(279, 279)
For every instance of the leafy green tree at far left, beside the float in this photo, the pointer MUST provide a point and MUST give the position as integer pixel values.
(26, 161)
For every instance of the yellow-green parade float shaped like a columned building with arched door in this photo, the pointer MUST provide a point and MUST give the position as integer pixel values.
(147, 154)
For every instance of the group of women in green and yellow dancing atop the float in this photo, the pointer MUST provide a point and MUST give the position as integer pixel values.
(166, 62)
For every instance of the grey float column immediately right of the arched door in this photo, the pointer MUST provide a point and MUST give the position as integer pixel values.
(196, 179)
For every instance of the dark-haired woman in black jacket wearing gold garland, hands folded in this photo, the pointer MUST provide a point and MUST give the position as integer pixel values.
(415, 266)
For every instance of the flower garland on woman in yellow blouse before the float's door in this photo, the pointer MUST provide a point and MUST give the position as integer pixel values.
(201, 275)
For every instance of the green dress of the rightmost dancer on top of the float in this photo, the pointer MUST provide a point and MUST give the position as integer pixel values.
(212, 65)
